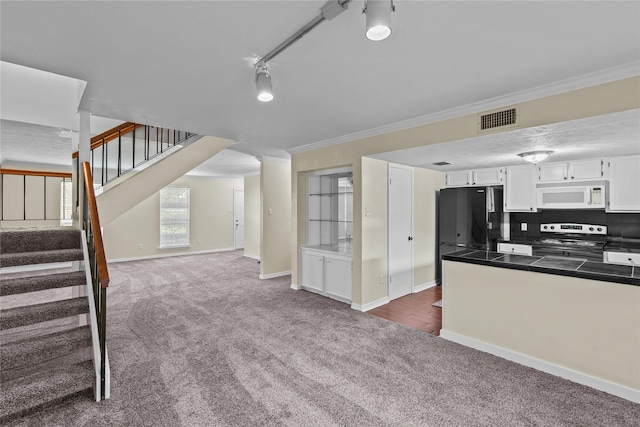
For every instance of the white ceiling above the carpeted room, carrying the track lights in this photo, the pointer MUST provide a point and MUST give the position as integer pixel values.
(188, 64)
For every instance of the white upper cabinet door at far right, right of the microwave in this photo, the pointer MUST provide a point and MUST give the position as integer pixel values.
(624, 184)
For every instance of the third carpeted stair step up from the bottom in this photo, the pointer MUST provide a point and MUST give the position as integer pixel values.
(36, 313)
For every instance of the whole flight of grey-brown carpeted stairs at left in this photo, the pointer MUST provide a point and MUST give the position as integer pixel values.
(45, 357)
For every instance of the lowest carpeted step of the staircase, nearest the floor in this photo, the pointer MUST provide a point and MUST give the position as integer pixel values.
(41, 389)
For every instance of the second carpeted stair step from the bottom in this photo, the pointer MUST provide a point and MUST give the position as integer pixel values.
(35, 350)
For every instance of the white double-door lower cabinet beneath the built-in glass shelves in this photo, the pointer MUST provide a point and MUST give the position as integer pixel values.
(326, 273)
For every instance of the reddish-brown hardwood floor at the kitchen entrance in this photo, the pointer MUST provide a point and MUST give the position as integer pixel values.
(415, 310)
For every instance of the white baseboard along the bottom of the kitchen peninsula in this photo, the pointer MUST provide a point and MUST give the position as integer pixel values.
(544, 366)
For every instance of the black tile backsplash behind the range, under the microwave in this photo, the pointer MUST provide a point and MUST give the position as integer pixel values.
(625, 225)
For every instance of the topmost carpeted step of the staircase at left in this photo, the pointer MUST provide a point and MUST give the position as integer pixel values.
(39, 239)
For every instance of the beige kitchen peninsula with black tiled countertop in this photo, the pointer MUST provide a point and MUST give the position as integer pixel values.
(575, 319)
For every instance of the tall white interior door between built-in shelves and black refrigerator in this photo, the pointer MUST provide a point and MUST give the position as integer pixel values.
(400, 231)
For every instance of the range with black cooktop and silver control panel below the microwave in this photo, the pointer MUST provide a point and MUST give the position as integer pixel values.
(584, 241)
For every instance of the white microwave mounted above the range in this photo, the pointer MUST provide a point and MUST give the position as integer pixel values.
(576, 196)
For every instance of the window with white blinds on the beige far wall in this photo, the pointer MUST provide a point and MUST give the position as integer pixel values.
(174, 217)
